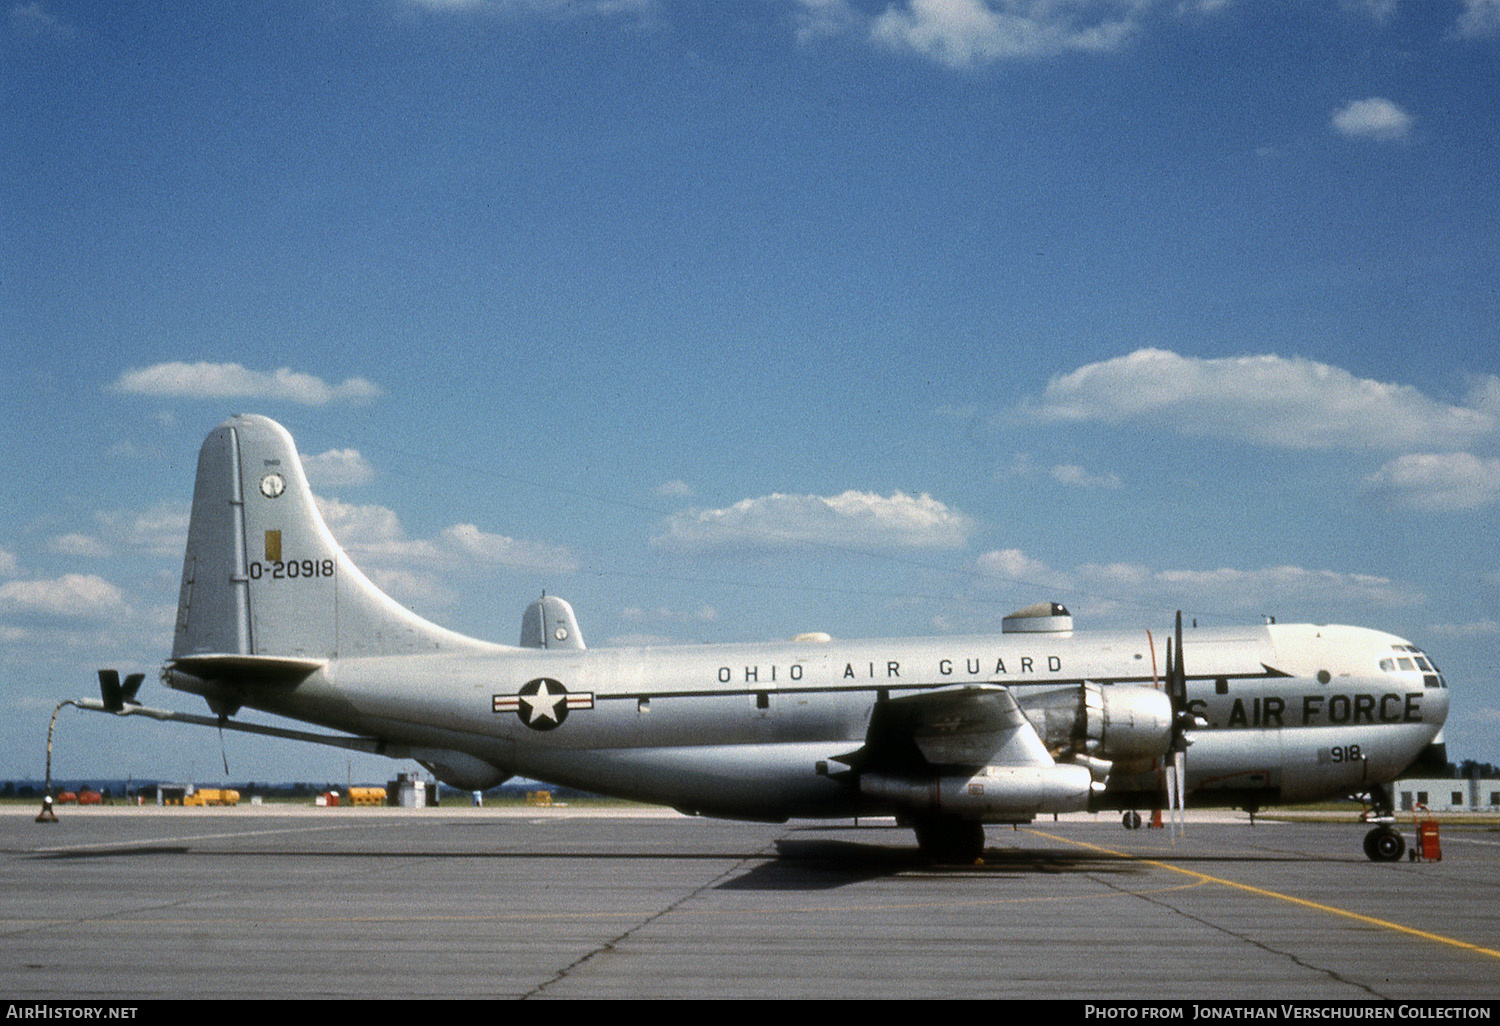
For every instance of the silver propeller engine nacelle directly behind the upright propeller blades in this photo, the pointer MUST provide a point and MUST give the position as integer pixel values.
(1123, 724)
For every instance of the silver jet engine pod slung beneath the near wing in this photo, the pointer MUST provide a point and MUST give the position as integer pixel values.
(1000, 794)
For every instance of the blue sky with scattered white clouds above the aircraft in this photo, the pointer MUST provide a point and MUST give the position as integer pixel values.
(733, 322)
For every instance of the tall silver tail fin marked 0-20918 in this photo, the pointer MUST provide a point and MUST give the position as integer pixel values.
(263, 574)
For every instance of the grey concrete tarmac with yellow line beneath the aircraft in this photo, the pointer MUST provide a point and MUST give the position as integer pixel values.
(142, 904)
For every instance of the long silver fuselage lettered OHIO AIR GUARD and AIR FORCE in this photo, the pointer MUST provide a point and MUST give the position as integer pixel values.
(1291, 713)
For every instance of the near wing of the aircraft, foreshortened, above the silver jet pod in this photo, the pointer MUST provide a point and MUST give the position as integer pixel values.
(971, 725)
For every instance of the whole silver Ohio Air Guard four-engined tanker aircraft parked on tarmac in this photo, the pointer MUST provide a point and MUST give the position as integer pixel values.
(947, 734)
